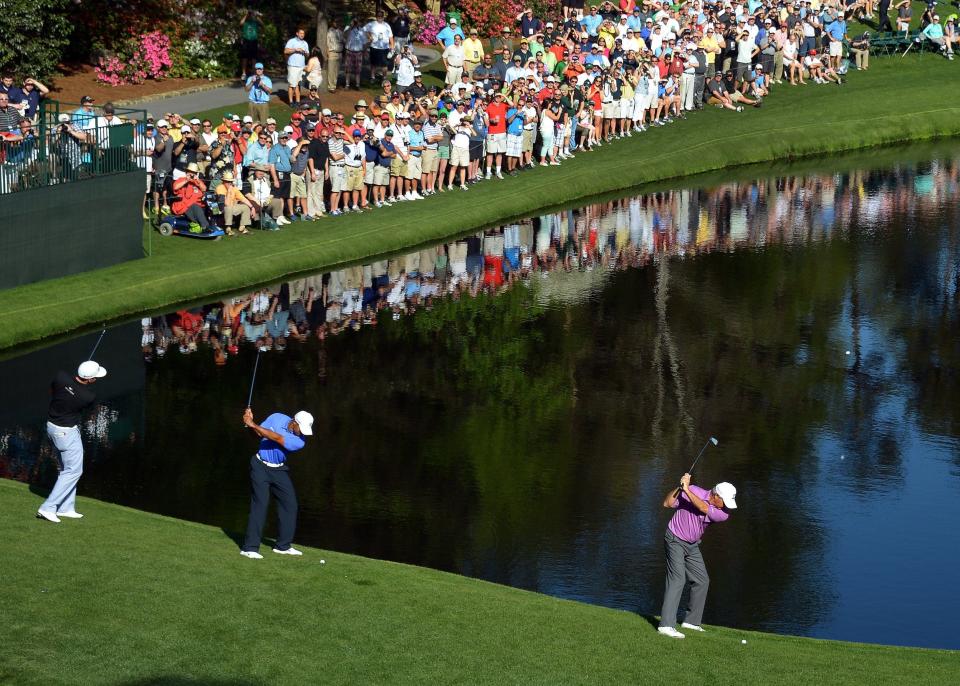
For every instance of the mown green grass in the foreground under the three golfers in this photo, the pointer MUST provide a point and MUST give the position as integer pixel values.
(125, 597)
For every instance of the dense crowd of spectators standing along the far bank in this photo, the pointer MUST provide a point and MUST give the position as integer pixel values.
(539, 92)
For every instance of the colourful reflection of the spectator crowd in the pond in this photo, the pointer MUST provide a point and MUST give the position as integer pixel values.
(613, 235)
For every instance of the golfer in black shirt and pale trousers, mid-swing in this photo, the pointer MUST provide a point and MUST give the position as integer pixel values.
(70, 395)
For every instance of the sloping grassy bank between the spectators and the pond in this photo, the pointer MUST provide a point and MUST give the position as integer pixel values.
(896, 101)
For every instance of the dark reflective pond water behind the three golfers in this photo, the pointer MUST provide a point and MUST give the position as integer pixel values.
(525, 430)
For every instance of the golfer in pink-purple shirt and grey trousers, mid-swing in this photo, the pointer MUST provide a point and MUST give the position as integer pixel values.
(696, 508)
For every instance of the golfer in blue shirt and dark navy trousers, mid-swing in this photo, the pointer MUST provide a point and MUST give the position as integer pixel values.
(279, 435)
